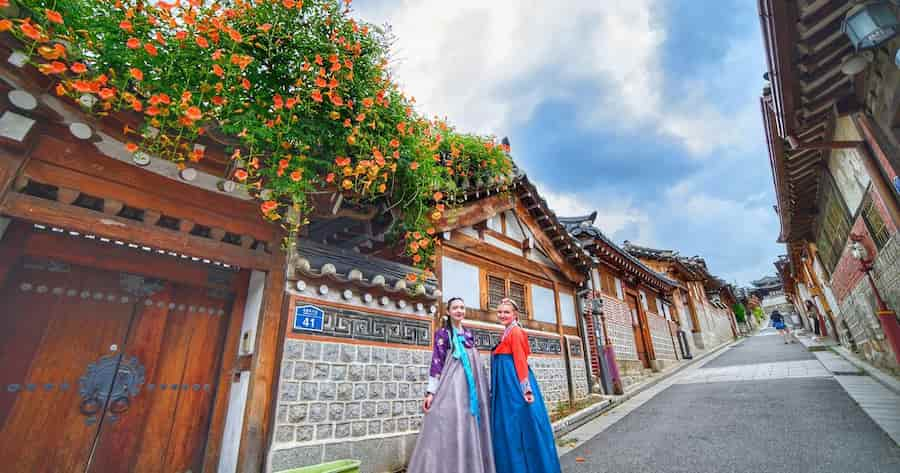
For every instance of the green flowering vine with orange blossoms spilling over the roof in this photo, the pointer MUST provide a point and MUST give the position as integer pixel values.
(300, 89)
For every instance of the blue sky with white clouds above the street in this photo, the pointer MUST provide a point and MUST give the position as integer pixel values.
(646, 111)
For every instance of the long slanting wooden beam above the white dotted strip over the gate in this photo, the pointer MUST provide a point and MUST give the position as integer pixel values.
(89, 221)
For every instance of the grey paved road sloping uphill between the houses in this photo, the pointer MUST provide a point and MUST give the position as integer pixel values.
(790, 415)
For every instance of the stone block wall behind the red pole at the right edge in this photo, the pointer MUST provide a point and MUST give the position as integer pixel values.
(857, 311)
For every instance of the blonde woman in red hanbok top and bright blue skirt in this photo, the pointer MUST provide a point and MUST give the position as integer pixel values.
(523, 437)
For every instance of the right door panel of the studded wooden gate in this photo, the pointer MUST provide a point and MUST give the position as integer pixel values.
(180, 334)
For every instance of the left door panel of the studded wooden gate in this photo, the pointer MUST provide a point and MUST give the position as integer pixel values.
(57, 321)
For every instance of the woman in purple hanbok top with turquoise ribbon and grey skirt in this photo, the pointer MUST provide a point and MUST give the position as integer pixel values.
(455, 436)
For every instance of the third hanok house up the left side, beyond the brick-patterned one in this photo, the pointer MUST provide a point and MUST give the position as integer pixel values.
(698, 299)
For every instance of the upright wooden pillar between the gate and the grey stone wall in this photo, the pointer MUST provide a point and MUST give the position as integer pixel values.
(258, 418)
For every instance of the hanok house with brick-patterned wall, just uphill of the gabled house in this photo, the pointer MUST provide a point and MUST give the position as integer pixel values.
(635, 332)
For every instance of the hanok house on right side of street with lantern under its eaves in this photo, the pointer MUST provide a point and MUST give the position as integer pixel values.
(832, 113)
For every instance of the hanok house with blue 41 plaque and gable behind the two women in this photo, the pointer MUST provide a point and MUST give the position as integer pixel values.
(357, 346)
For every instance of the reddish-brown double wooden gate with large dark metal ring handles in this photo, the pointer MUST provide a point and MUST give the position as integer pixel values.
(104, 370)
